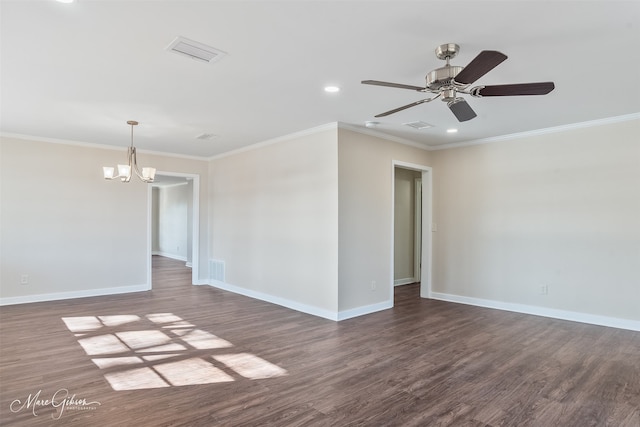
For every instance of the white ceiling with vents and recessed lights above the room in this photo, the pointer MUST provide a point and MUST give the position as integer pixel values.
(78, 72)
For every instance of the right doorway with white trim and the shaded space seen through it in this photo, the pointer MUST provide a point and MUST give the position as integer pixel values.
(411, 226)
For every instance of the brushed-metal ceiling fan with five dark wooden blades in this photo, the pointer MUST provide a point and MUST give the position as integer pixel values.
(451, 80)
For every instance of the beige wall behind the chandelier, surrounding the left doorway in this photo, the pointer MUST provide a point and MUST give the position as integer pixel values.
(69, 230)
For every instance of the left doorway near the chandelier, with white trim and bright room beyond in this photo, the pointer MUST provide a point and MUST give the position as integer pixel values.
(173, 215)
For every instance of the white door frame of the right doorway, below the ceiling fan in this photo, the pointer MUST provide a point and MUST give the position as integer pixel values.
(427, 215)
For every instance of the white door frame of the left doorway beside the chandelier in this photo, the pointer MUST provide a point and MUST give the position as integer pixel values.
(195, 226)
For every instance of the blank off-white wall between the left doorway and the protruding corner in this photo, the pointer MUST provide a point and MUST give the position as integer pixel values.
(274, 221)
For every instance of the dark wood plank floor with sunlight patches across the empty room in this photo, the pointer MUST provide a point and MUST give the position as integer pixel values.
(213, 358)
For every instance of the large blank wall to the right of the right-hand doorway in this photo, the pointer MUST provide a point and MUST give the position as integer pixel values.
(560, 210)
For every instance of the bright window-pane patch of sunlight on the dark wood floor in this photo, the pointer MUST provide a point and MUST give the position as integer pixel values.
(162, 350)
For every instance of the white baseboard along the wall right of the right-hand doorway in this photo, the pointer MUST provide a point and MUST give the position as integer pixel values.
(612, 322)
